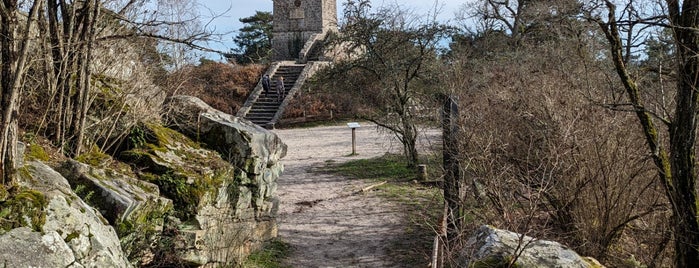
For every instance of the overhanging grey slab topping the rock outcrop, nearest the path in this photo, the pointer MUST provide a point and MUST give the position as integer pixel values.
(253, 150)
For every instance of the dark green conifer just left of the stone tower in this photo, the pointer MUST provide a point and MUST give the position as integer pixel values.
(254, 40)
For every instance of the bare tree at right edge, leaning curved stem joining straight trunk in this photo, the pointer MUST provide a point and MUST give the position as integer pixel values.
(676, 163)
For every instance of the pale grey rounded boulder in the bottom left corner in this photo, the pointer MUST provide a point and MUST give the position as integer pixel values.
(69, 233)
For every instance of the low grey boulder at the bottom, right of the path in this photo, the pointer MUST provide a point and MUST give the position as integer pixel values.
(491, 247)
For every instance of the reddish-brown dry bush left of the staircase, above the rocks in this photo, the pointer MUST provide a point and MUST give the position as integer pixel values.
(223, 86)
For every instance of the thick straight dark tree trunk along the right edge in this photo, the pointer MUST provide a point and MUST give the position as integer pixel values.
(683, 141)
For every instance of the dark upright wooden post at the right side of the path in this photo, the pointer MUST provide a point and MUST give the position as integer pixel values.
(452, 173)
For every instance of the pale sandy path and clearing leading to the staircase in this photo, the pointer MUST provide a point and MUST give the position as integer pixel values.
(321, 215)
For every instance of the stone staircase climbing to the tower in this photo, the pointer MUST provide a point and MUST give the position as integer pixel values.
(264, 108)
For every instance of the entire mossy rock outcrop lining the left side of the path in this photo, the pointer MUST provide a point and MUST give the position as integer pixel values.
(180, 205)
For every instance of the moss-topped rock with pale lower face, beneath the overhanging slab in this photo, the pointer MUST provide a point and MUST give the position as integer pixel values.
(222, 213)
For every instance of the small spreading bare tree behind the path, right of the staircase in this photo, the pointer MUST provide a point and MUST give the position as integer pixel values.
(395, 54)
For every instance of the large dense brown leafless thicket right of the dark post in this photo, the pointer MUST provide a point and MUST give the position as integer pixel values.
(543, 159)
